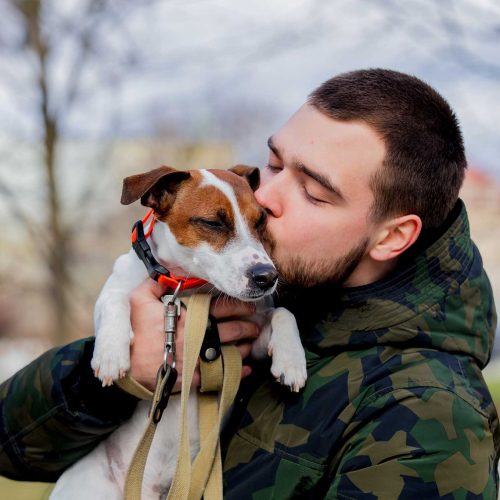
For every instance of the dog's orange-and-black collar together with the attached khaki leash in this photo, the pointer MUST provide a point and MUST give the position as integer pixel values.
(220, 374)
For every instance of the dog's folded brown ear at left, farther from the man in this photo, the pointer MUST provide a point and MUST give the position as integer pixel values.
(153, 188)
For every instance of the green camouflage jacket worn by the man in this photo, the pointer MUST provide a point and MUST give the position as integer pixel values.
(395, 405)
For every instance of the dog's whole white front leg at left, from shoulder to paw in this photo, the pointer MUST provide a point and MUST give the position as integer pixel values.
(112, 319)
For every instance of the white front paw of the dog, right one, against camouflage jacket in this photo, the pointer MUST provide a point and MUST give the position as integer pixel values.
(289, 364)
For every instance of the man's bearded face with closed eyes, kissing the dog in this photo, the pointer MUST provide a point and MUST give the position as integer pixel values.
(316, 191)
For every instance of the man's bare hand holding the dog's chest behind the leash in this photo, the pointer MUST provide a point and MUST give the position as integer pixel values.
(146, 354)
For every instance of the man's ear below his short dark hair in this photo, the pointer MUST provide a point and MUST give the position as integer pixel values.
(395, 237)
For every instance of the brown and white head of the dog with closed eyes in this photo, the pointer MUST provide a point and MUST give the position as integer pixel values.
(210, 225)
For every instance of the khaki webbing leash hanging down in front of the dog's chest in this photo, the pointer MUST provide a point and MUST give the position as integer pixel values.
(204, 476)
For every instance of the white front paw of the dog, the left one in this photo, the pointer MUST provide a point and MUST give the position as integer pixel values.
(110, 361)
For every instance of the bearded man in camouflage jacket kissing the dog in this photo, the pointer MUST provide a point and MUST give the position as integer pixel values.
(395, 311)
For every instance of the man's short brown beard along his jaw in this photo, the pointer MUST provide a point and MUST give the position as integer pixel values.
(300, 273)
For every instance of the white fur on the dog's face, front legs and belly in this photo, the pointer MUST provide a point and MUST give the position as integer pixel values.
(101, 474)
